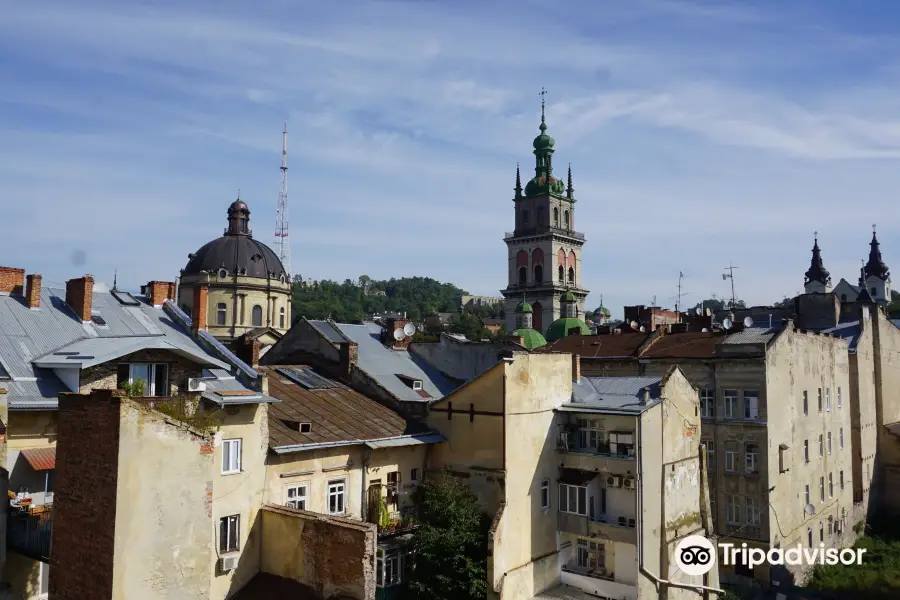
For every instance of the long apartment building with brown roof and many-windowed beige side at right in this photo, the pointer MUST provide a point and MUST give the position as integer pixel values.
(777, 428)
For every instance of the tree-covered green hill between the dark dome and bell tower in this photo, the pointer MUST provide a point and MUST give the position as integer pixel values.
(350, 301)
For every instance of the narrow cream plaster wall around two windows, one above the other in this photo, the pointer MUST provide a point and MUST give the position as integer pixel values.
(239, 494)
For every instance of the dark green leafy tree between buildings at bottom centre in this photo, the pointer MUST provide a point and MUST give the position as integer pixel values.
(450, 544)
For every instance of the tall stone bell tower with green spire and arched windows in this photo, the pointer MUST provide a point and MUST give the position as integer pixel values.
(544, 249)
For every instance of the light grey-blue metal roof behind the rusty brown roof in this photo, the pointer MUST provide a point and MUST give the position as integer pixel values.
(385, 364)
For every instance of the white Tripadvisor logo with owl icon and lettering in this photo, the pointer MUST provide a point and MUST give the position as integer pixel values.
(696, 555)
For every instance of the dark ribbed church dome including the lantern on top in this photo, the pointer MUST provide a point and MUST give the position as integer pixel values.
(236, 251)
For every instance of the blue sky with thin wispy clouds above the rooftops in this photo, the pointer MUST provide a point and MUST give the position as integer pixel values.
(699, 133)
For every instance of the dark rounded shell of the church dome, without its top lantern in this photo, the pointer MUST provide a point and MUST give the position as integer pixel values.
(239, 255)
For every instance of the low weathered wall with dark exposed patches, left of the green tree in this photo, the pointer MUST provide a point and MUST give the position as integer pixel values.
(332, 557)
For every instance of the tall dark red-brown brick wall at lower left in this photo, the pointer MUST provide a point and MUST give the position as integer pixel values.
(85, 504)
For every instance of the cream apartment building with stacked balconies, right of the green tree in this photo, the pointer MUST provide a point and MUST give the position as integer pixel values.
(591, 481)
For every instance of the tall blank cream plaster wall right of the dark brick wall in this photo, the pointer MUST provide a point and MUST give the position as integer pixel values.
(162, 535)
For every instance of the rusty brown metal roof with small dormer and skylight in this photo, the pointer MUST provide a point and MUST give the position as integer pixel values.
(336, 415)
